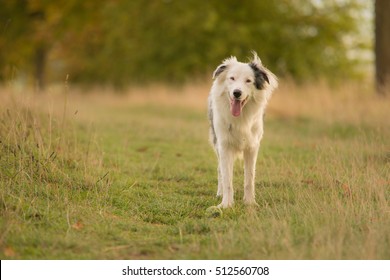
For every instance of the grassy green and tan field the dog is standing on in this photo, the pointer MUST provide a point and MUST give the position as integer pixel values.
(98, 175)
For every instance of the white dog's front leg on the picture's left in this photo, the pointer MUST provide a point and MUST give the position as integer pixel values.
(226, 161)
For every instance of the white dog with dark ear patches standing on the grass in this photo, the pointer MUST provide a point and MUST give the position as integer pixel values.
(237, 101)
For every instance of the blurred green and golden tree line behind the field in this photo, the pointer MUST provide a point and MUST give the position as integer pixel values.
(118, 42)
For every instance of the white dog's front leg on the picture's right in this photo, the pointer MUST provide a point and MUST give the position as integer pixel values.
(250, 157)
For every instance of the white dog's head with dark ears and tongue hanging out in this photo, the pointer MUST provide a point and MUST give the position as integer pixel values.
(245, 81)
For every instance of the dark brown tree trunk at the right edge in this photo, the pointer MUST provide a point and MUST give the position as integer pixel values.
(382, 45)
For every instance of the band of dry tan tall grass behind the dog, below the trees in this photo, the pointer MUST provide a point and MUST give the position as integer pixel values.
(352, 102)
